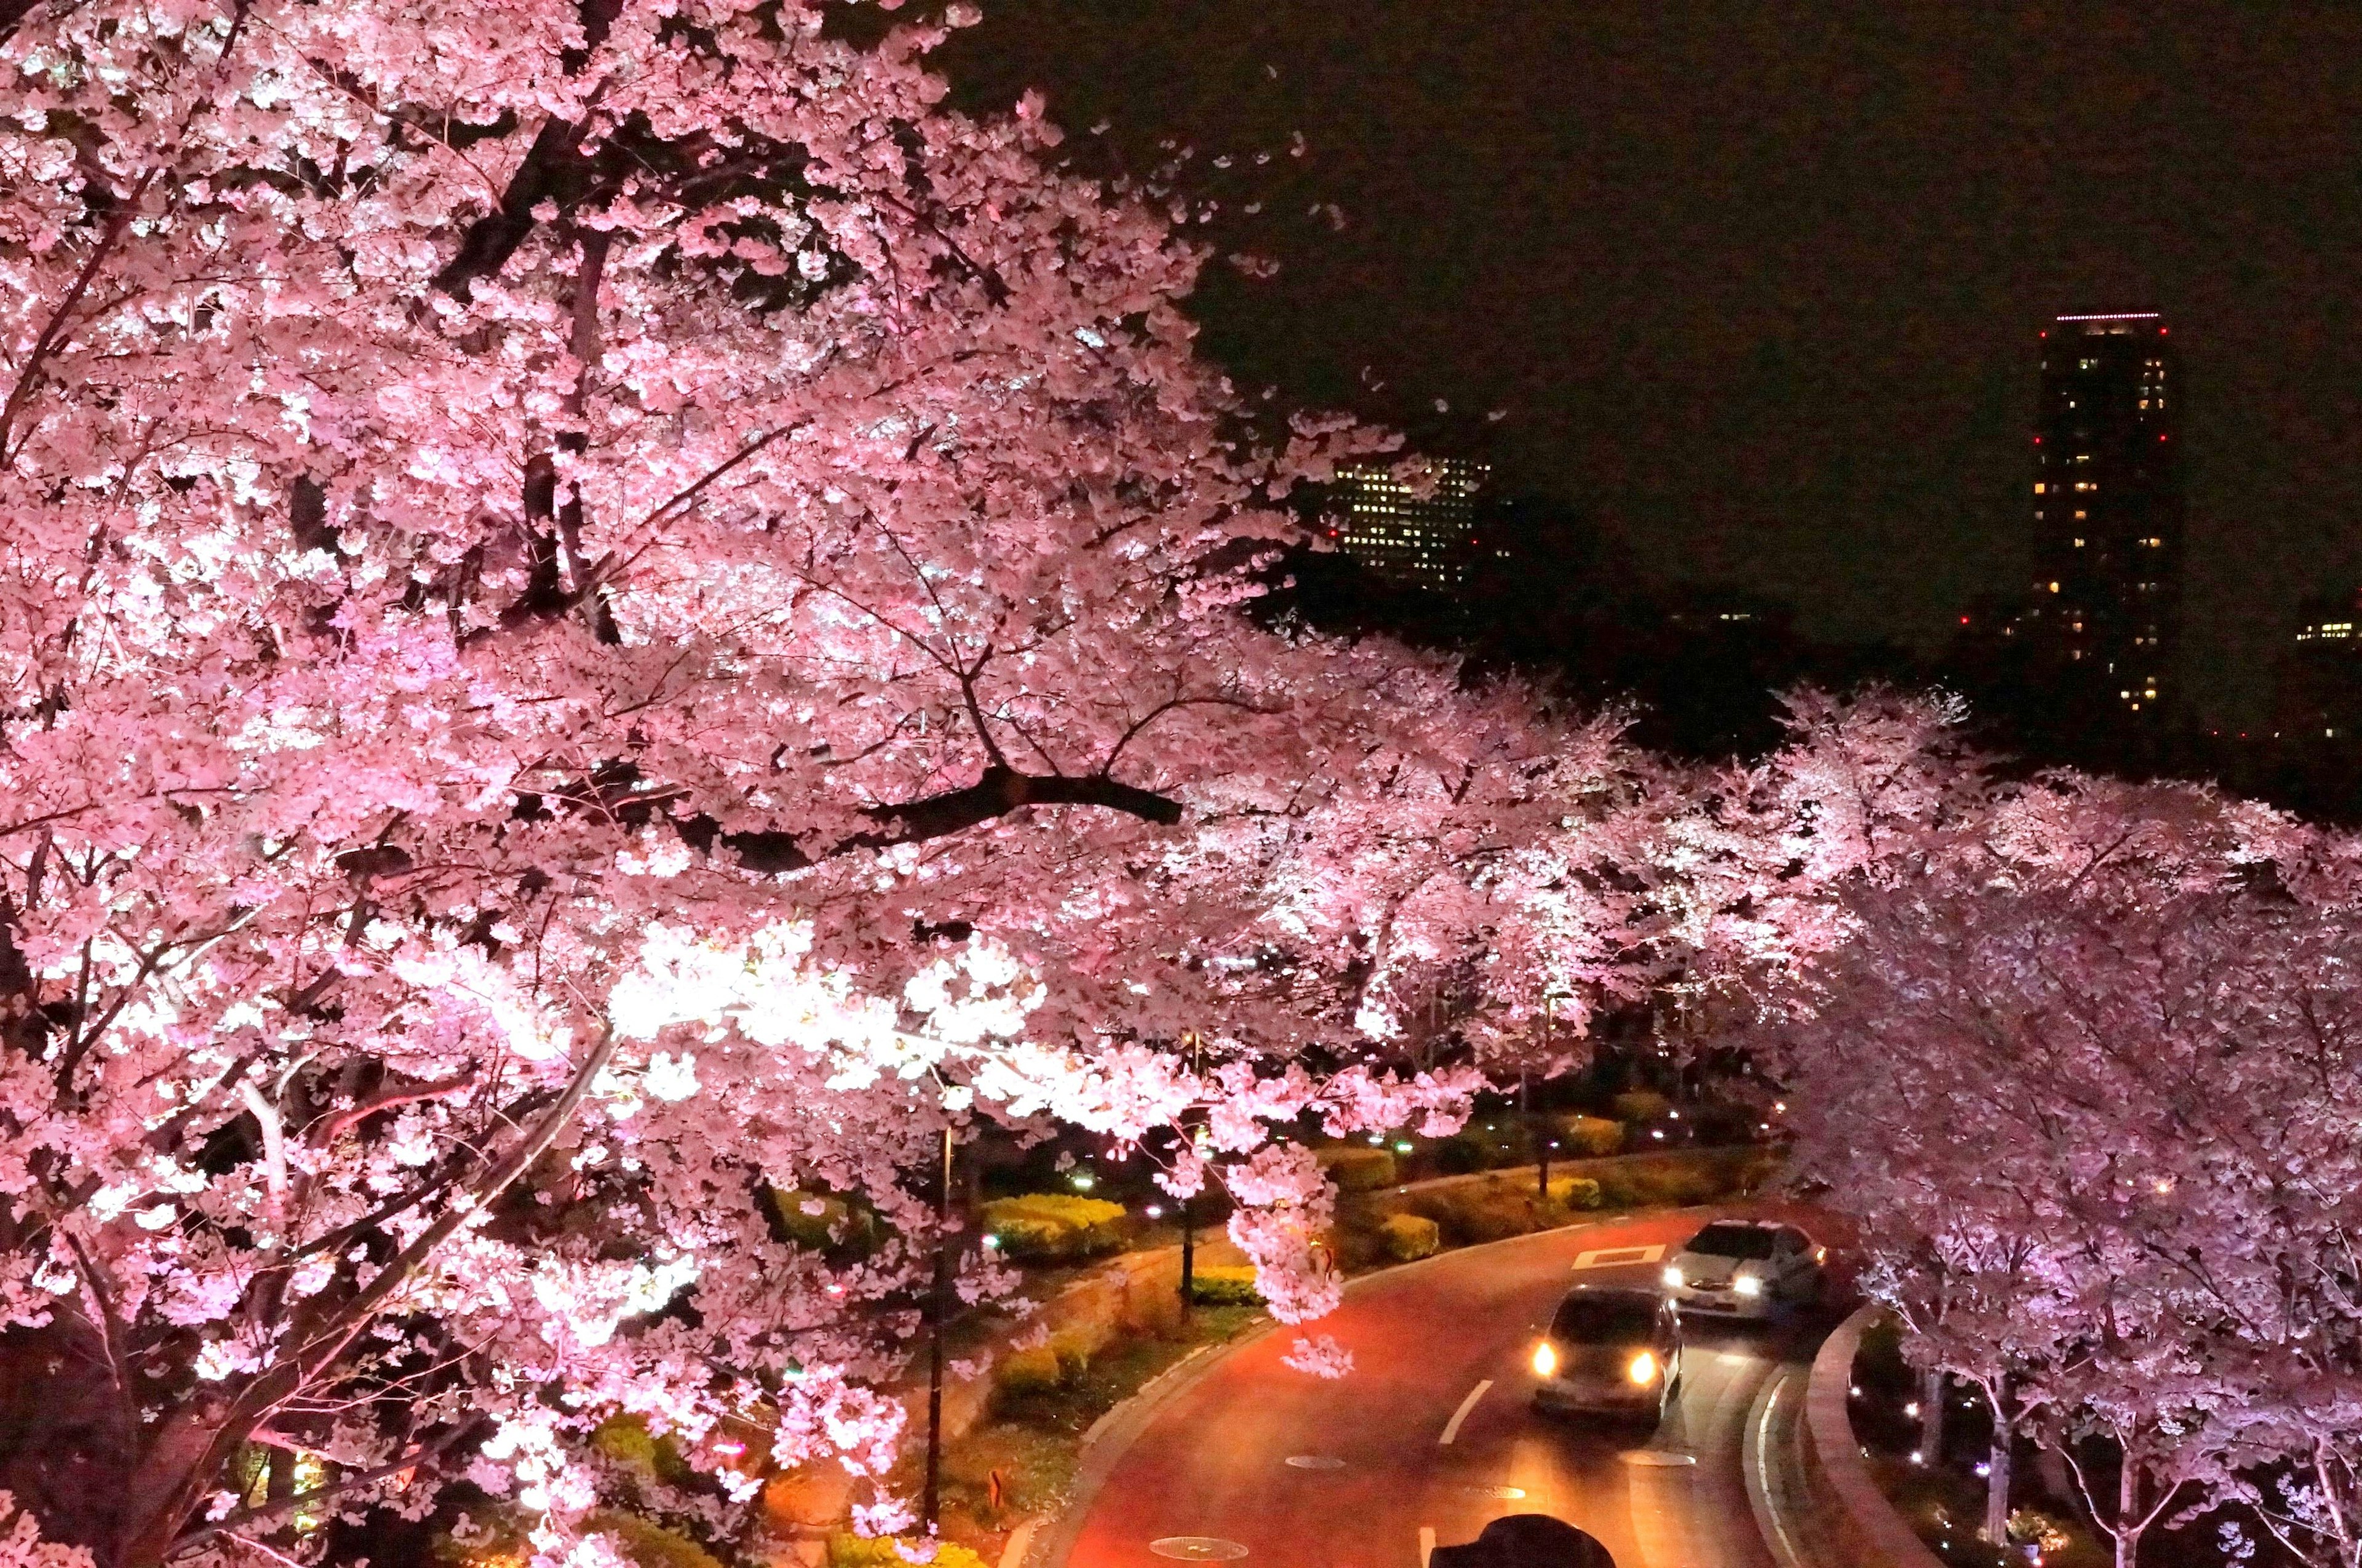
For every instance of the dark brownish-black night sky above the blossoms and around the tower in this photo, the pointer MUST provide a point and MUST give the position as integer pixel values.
(1761, 285)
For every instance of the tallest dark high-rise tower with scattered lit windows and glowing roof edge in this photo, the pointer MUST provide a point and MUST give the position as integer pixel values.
(2108, 514)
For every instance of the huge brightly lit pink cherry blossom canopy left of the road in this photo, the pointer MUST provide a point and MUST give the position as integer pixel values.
(606, 610)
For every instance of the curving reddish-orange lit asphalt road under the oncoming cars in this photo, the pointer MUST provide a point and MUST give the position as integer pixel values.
(1435, 1432)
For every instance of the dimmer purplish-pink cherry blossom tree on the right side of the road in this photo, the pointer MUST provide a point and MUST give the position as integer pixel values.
(2080, 1059)
